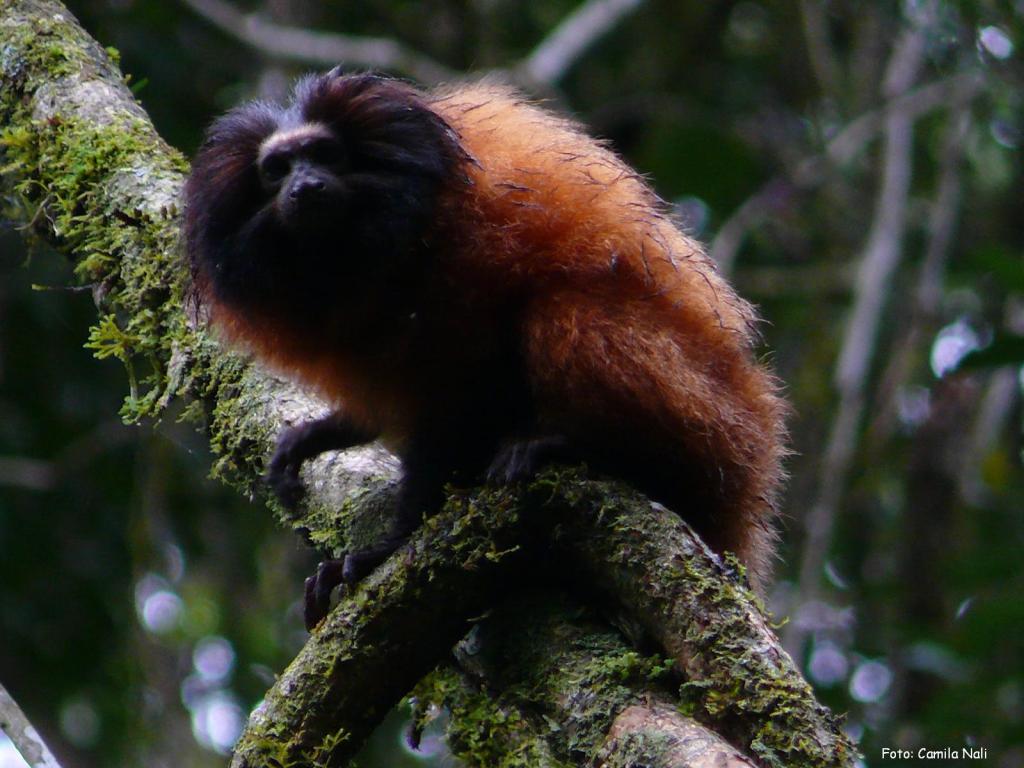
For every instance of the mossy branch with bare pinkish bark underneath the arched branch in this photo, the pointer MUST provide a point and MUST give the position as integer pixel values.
(525, 678)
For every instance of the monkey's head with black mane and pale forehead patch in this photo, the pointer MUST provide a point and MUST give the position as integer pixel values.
(314, 204)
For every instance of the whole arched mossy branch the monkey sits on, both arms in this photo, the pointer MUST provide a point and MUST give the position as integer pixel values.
(643, 557)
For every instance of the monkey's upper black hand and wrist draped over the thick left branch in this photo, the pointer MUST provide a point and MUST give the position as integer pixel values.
(305, 442)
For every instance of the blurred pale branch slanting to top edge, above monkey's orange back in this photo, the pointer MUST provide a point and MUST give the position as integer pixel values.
(556, 56)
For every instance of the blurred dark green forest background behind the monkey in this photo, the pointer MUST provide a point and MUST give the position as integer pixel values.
(857, 167)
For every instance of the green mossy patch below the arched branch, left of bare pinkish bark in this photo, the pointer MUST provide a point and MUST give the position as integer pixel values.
(566, 675)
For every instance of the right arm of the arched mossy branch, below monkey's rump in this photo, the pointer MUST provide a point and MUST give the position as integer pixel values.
(649, 561)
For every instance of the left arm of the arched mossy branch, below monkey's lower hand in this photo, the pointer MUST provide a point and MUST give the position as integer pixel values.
(372, 650)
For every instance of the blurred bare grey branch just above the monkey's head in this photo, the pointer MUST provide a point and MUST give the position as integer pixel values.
(320, 49)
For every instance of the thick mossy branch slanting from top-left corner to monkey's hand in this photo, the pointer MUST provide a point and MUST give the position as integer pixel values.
(83, 169)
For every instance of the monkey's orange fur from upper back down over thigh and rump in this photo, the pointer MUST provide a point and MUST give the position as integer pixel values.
(633, 345)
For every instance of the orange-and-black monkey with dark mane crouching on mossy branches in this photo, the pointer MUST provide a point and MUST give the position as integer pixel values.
(476, 282)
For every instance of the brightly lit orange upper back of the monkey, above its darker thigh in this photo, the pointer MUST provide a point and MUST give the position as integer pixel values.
(553, 201)
